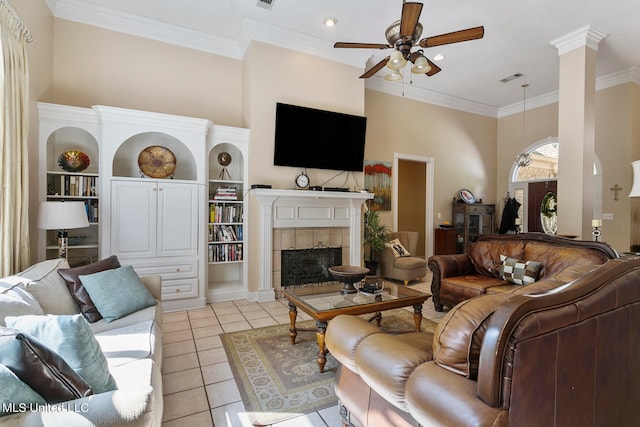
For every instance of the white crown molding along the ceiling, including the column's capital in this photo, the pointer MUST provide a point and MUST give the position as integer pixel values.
(252, 30)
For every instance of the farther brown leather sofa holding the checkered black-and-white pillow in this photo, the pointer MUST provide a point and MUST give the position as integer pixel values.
(462, 276)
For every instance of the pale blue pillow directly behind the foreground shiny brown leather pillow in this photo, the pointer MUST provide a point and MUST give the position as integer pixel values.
(70, 337)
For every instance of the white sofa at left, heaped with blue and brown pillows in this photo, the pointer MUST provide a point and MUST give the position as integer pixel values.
(132, 346)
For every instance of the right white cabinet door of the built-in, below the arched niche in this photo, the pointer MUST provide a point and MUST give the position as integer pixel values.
(177, 219)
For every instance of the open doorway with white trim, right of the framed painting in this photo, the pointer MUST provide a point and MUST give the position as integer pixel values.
(412, 198)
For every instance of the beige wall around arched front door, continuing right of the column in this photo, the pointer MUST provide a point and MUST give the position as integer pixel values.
(617, 142)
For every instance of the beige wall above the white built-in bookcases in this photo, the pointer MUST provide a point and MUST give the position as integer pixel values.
(93, 66)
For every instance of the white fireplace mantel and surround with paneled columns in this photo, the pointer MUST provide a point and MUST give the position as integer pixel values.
(305, 208)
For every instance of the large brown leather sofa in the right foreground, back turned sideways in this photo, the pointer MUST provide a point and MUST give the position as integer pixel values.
(563, 351)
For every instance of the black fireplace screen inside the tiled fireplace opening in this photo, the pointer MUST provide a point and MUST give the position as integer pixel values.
(304, 266)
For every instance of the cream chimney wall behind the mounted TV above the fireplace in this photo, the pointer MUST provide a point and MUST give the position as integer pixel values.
(273, 74)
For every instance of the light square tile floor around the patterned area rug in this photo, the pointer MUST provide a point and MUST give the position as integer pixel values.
(199, 388)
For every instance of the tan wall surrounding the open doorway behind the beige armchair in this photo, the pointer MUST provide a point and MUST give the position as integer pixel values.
(463, 145)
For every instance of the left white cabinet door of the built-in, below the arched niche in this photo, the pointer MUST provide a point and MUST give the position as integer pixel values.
(133, 218)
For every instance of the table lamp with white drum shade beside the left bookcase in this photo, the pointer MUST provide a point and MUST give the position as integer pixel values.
(62, 216)
